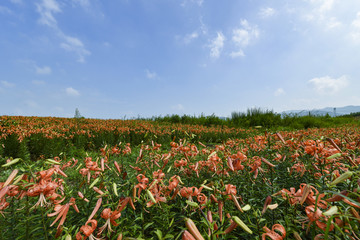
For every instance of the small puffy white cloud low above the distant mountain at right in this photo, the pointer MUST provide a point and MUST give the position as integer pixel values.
(328, 85)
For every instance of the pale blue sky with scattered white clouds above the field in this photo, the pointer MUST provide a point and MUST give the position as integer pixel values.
(124, 59)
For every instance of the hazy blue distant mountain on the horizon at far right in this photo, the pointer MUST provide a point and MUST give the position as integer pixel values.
(323, 111)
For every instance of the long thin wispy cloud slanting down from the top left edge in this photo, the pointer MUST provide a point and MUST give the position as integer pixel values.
(47, 9)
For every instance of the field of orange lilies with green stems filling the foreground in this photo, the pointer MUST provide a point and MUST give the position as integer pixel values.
(114, 179)
